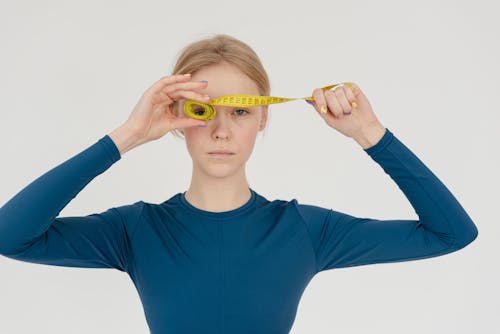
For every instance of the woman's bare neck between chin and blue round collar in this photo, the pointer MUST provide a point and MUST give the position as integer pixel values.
(218, 194)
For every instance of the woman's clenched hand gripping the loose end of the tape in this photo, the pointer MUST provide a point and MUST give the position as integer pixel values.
(340, 114)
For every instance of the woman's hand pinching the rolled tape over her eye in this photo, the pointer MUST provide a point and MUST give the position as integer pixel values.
(153, 117)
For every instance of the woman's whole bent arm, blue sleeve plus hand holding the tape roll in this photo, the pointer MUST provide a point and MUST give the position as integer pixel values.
(29, 227)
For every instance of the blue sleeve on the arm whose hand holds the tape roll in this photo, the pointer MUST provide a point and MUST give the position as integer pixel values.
(31, 231)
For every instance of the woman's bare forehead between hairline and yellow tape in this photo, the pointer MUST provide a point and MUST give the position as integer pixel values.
(225, 79)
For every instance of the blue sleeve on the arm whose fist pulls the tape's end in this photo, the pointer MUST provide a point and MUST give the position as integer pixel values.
(342, 240)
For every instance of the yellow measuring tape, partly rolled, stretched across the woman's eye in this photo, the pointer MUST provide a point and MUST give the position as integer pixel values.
(191, 106)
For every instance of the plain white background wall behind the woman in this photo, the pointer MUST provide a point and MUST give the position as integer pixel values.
(73, 71)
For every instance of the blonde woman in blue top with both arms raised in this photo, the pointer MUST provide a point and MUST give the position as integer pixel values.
(219, 257)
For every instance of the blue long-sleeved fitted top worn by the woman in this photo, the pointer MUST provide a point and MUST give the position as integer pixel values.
(238, 271)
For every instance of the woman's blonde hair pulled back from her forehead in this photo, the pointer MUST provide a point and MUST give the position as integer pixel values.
(217, 49)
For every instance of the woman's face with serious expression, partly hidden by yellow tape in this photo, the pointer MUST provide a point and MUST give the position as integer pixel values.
(233, 129)
